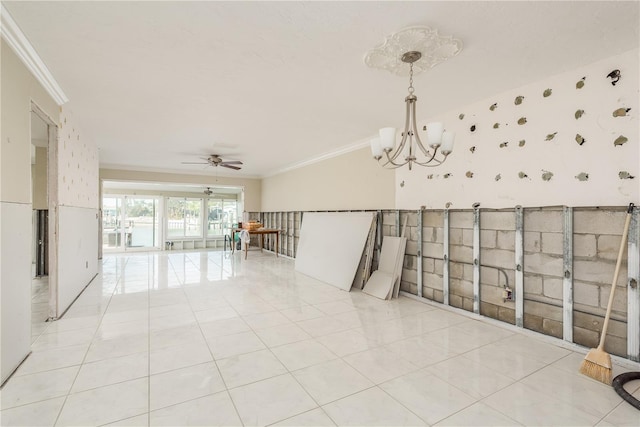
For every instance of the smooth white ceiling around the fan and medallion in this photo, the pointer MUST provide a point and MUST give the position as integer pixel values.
(278, 83)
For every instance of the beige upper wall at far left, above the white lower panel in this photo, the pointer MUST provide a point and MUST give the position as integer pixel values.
(19, 88)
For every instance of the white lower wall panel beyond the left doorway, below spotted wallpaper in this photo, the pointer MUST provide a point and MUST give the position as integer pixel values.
(78, 252)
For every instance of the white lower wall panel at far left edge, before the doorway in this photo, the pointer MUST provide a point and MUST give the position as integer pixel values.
(15, 284)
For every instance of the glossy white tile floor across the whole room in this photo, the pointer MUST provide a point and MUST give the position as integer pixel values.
(205, 338)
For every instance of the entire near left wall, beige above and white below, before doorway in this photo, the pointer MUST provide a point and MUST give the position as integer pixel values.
(19, 89)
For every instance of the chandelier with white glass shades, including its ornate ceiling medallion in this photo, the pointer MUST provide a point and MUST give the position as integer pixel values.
(422, 48)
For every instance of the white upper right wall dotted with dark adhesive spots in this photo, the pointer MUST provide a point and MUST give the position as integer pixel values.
(490, 174)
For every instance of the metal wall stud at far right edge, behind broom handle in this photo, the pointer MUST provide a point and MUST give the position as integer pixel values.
(633, 293)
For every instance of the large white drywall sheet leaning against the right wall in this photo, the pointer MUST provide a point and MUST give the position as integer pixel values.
(331, 245)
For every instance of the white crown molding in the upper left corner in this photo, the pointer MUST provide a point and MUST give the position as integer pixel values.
(22, 47)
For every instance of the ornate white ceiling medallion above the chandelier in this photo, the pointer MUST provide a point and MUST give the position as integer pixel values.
(434, 48)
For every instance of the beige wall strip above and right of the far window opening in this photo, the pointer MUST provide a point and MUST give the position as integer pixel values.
(252, 187)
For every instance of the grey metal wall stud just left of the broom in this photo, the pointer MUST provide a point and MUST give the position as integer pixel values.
(567, 276)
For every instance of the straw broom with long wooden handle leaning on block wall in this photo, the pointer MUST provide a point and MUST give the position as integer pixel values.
(597, 363)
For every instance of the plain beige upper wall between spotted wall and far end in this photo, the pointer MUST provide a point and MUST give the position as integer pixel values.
(348, 182)
